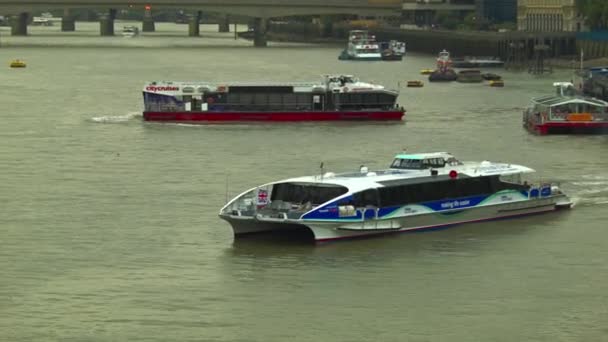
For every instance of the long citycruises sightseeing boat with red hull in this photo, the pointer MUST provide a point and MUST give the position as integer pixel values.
(336, 97)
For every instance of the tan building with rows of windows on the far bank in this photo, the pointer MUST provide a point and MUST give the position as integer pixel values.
(548, 16)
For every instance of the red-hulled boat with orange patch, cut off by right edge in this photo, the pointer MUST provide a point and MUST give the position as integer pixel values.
(566, 112)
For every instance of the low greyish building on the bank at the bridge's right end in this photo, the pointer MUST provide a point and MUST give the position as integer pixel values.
(422, 12)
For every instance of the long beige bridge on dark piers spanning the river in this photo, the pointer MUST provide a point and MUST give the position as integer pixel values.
(260, 10)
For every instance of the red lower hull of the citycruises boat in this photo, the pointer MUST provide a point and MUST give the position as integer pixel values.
(202, 117)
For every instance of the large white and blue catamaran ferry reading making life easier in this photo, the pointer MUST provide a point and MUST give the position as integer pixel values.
(418, 192)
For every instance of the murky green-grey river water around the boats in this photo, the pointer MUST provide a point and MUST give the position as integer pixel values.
(109, 227)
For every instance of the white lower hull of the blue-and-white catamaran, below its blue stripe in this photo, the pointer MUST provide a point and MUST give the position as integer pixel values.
(334, 230)
